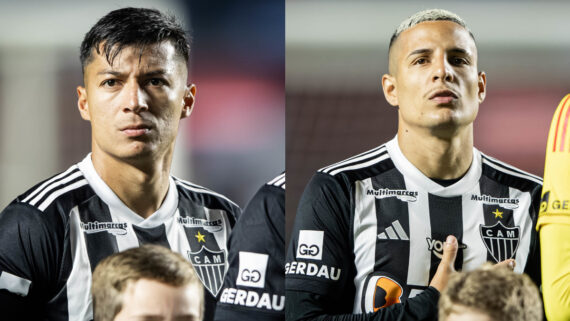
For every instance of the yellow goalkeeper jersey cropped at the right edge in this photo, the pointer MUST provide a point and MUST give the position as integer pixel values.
(554, 218)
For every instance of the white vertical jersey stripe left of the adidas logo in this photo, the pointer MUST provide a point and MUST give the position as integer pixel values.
(365, 229)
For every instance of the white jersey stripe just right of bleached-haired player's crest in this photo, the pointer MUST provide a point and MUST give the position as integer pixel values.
(522, 219)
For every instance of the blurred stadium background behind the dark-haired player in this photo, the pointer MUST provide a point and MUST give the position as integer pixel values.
(233, 142)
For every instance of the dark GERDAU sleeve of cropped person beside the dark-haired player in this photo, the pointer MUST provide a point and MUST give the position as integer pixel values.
(254, 287)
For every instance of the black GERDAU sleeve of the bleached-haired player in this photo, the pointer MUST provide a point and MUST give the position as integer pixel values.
(319, 258)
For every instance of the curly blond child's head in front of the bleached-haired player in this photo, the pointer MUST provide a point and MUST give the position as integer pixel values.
(490, 294)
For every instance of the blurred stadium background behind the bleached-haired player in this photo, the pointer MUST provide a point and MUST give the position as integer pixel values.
(336, 53)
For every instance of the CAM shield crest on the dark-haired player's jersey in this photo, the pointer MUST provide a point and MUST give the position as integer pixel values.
(210, 267)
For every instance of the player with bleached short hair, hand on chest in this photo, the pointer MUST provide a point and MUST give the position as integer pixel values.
(370, 233)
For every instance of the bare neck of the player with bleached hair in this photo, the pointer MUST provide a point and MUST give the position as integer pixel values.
(446, 157)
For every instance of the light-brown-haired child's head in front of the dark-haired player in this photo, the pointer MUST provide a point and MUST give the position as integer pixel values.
(144, 283)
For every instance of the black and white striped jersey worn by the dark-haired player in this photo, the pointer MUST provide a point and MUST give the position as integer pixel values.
(53, 236)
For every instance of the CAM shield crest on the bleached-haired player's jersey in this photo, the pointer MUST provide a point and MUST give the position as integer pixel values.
(501, 241)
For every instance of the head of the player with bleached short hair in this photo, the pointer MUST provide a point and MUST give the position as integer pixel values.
(433, 76)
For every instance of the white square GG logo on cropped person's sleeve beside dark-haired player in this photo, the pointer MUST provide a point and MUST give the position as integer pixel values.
(252, 267)
